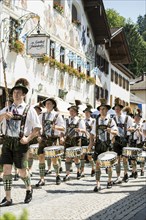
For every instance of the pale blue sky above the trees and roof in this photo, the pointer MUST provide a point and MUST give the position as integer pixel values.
(127, 8)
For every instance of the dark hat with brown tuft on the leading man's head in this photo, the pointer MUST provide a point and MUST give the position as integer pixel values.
(21, 83)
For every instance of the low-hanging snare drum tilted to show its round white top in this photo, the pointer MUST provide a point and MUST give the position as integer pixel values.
(107, 159)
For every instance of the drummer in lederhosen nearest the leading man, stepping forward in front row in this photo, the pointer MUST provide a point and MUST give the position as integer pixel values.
(52, 124)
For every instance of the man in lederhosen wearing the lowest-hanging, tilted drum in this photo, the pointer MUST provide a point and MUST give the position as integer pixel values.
(101, 134)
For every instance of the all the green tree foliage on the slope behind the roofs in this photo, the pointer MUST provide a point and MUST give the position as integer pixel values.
(135, 35)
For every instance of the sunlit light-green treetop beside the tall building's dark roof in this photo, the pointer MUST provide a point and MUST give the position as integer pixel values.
(114, 18)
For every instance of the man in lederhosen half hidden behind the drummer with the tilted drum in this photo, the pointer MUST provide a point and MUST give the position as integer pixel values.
(85, 141)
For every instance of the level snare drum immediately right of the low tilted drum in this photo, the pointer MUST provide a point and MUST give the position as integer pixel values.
(131, 151)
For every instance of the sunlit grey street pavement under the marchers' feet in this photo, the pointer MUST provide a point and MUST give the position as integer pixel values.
(75, 199)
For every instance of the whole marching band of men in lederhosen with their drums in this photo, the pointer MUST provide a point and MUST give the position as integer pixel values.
(105, 141)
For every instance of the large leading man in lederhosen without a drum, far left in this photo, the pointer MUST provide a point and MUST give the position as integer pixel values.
(17, 120)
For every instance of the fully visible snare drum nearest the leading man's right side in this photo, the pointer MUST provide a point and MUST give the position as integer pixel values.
(54, 151)
